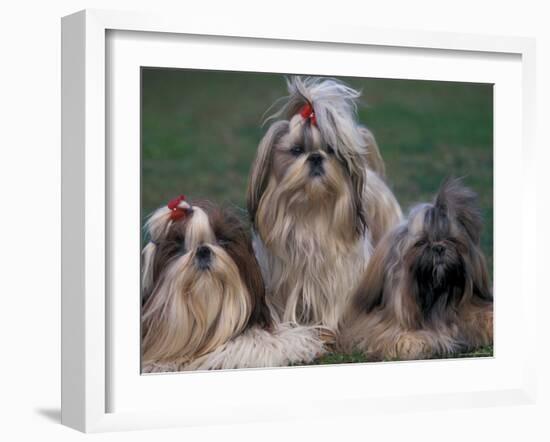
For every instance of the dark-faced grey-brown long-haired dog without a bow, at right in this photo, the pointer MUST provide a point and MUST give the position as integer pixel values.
(426, 291)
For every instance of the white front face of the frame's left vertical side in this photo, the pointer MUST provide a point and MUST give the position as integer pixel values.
(95, 220)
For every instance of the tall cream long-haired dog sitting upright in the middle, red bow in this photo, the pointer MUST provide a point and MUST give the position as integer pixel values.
(317, 201)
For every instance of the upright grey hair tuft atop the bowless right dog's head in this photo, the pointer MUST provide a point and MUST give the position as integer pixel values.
(460, 202)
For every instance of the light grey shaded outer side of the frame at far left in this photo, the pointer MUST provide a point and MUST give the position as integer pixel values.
(73, 348)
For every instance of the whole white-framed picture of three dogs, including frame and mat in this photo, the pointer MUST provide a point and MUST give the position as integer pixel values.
(278, 210)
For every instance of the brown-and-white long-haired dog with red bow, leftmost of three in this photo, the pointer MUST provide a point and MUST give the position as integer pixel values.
(203, 297)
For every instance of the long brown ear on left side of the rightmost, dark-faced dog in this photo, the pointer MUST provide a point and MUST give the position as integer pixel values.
(370, 292)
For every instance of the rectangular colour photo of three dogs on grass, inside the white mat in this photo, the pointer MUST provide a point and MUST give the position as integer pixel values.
(299, 220)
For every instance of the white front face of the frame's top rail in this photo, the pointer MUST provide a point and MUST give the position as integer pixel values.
(149, 21)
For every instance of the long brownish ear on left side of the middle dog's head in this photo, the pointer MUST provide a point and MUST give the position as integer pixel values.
(259, 173)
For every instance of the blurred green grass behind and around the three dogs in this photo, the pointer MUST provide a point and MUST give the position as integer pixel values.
(200, 131)
